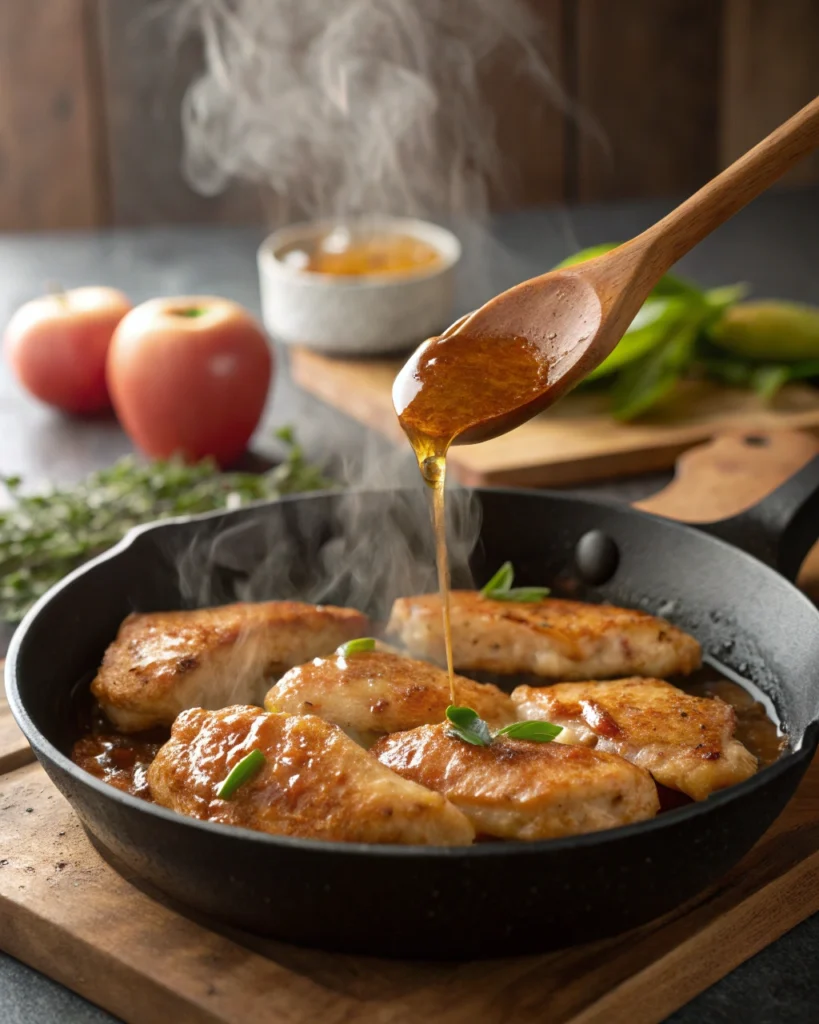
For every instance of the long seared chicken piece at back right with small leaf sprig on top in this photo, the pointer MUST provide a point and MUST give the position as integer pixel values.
(552, 638)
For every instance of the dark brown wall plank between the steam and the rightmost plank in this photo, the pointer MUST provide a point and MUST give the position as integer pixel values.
(651, 80)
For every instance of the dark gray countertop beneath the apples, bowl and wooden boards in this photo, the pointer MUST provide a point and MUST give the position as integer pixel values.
(773, 245)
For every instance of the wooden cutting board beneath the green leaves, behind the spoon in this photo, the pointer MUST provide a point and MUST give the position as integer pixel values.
(573, 444)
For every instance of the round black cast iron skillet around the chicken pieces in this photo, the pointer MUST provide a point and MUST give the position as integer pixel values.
(493, 899)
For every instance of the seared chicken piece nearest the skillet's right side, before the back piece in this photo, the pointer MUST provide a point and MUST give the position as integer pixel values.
(686, 743)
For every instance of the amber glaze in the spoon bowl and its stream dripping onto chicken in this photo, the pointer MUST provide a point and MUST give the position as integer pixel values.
(450, 385)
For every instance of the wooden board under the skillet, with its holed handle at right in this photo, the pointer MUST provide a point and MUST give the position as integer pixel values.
(67, 912)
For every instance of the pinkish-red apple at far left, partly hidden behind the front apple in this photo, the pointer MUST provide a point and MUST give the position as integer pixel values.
(58, 345)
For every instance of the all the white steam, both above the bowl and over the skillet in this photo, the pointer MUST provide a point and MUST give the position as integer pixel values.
(344, 108)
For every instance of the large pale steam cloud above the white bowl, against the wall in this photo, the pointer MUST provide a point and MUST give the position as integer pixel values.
(351, 107)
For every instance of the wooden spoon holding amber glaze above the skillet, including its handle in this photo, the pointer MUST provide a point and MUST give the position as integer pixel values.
(498, 367)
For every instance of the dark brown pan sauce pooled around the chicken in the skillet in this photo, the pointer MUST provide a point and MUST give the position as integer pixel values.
(122, 760)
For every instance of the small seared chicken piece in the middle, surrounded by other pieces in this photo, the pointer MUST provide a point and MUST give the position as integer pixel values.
(374, 693)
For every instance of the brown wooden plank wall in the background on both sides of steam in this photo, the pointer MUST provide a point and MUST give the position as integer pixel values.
(660, 95)
